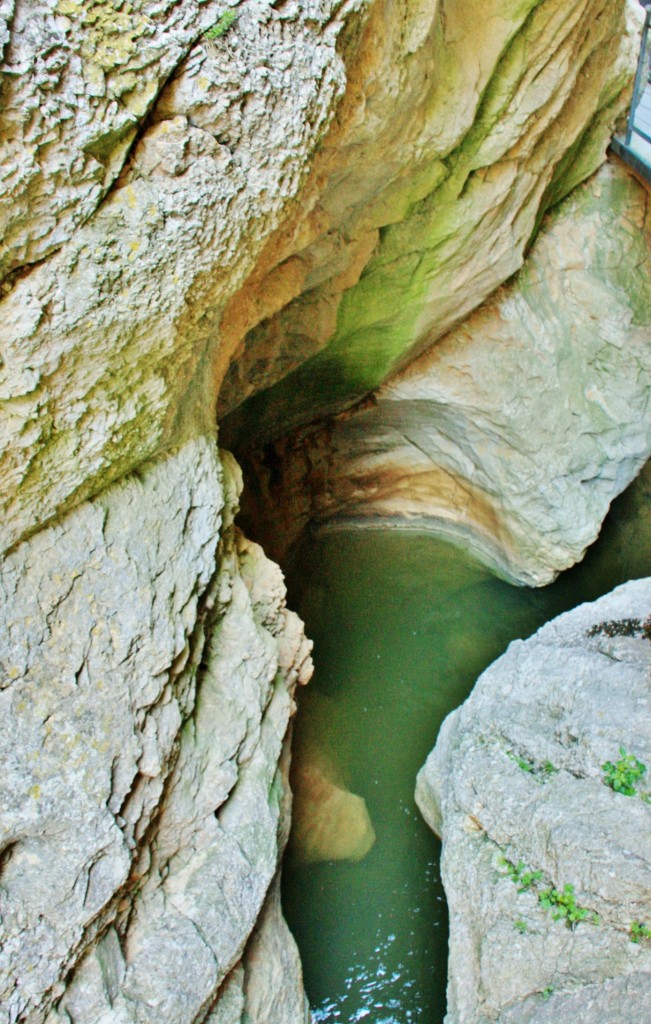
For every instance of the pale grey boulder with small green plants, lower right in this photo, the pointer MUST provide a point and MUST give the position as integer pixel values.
(517, 775)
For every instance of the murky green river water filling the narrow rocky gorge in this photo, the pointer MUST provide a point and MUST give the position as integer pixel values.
(403, 625)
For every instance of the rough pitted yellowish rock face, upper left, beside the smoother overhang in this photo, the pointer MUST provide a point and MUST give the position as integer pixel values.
(110, 347)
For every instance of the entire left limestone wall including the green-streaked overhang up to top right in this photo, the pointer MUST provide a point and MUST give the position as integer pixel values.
(165, 198)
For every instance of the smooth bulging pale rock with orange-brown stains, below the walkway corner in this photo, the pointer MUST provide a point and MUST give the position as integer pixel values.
(515, 432)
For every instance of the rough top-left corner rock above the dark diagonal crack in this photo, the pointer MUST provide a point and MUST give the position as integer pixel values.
(77, 81)
